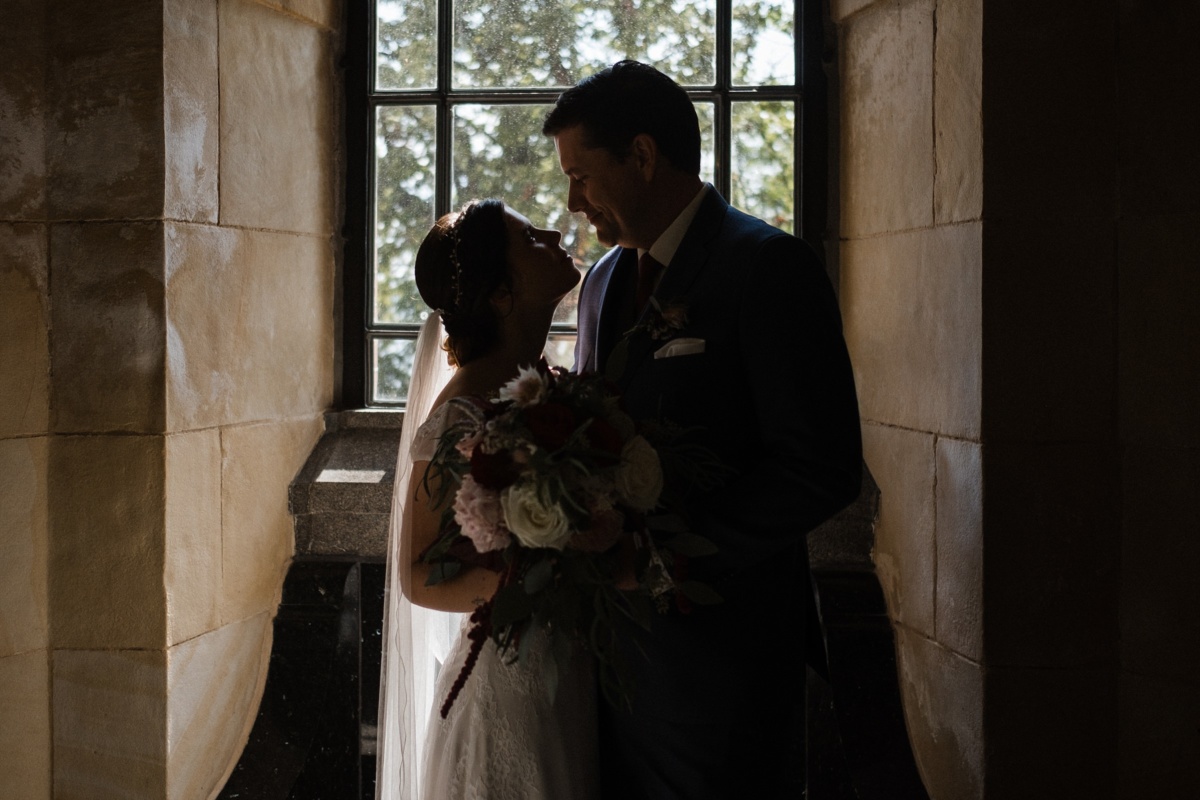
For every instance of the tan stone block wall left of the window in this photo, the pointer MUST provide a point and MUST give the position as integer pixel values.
(167, 263)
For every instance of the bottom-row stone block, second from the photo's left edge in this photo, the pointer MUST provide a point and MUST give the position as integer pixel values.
(110, 725)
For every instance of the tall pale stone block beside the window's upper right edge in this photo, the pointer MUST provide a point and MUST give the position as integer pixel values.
(887, 111)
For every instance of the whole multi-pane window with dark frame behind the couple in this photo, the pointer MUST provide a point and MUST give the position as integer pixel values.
(447, 104)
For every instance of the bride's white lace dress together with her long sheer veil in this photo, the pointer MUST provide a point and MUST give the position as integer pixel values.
(511, 735)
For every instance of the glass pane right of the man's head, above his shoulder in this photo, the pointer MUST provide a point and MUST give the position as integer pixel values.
(764, 161)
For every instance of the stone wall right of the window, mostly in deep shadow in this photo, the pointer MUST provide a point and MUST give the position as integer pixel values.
(1018, 263)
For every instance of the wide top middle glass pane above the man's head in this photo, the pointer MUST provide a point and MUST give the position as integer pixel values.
(521, 44)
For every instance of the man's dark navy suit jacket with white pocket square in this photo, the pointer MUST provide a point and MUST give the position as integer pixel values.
(772, 395)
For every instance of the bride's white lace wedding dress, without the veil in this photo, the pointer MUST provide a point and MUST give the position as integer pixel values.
(511, 733)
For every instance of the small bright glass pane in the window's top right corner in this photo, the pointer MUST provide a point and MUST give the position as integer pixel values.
(764, 43)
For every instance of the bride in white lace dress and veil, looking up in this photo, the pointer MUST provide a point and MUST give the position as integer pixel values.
(495, 281)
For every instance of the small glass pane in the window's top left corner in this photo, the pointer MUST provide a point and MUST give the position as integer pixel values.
(406, 45)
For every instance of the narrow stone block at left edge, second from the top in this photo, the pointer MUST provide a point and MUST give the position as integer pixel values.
(25, 330)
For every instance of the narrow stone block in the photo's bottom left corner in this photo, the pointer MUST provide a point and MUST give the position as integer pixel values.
(26, 726)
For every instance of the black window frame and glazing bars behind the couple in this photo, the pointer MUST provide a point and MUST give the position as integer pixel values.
(358, 333)
